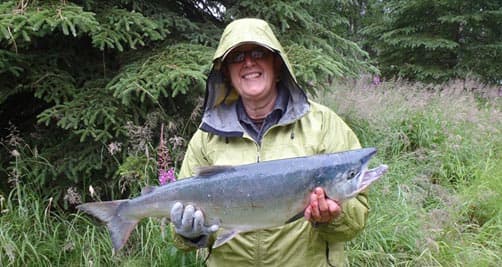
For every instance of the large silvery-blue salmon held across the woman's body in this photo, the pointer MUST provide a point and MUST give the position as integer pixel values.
(247, 197)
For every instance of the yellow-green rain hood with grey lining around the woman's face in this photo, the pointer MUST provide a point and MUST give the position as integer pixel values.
(219, 104)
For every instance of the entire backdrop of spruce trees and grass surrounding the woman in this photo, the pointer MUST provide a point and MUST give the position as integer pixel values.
(87, 88)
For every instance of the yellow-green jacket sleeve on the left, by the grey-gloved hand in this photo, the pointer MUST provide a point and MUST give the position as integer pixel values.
(194, 157)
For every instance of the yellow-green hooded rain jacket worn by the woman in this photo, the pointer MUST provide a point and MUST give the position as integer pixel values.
(306, 128)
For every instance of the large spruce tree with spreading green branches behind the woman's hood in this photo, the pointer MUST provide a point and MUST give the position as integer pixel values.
(86, 85)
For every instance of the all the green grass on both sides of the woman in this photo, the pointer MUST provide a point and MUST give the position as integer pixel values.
(439, 205)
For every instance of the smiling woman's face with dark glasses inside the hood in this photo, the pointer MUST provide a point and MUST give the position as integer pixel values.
(253, 71)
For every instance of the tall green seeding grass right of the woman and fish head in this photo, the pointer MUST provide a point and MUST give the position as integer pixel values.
(439, 205)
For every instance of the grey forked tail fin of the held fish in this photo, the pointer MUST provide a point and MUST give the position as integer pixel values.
(120, 227)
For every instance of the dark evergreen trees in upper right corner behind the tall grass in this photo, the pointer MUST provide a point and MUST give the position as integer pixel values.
(434, 41)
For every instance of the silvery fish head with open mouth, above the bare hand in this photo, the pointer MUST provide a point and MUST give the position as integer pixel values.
(349, 175)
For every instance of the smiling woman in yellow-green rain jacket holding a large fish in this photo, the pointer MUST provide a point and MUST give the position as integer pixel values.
(256, 111)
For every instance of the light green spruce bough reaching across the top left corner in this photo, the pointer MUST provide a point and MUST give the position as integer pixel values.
(111, 27)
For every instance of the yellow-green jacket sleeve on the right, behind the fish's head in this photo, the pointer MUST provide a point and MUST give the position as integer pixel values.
(339, 137)
